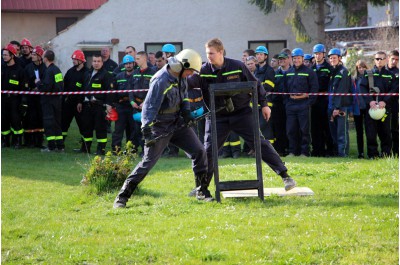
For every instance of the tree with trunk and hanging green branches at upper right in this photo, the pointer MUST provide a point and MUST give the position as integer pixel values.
(294, 19)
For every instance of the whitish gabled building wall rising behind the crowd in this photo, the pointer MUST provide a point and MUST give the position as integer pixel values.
(191, 22)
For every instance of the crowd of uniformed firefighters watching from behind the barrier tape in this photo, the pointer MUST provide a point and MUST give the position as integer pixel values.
(301, 124)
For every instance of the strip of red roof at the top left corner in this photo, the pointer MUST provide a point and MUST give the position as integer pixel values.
(50, 5)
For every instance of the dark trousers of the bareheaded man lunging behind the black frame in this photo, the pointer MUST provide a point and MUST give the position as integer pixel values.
(241, 123)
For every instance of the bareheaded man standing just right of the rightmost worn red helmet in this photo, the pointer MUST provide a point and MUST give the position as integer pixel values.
(93, 106)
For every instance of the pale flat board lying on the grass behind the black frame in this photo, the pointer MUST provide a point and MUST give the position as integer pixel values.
(298, 191)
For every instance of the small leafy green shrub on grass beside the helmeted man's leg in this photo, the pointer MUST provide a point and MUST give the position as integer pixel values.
(109, 173)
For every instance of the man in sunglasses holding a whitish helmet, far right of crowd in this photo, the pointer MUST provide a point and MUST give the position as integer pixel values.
(386, 82)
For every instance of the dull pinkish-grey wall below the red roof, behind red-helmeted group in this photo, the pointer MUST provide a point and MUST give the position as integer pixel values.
(39, 28)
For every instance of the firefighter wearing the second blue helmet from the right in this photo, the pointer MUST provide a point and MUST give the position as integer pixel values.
(322, 144)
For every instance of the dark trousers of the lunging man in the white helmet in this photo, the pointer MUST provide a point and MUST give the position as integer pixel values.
(184, 138)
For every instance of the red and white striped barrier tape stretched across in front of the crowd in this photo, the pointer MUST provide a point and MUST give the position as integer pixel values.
(144, 90)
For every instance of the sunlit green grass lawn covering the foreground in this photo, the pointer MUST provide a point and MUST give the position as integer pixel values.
(49, 218)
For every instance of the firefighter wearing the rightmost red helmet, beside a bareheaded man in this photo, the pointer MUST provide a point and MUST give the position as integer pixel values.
(73, 81)
